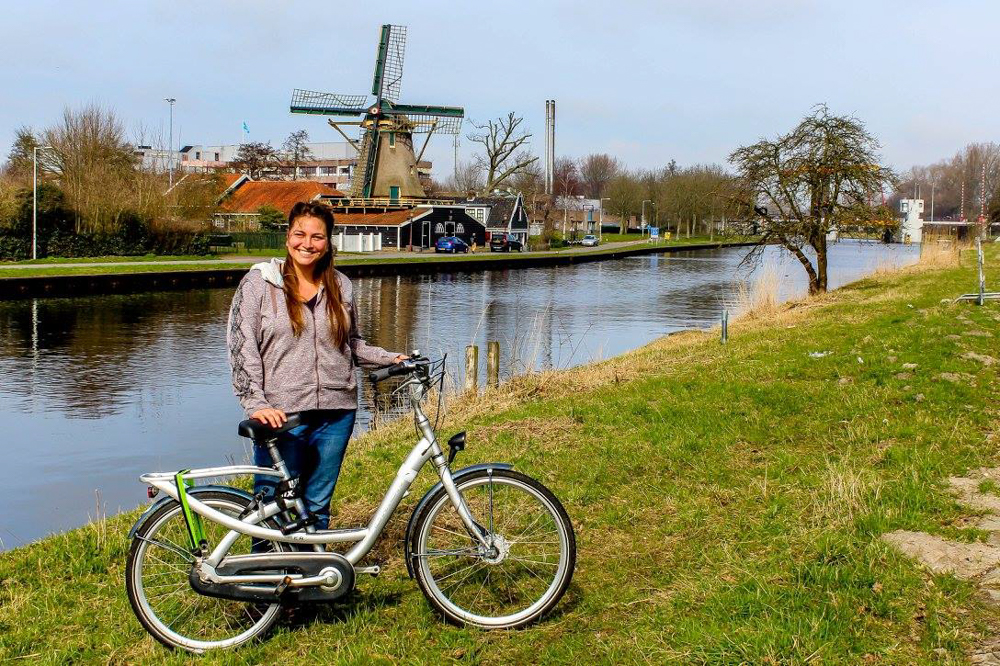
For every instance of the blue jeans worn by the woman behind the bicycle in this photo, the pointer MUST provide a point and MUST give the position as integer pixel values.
(313, 452)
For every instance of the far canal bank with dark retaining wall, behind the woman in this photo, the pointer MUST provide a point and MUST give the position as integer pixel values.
(119, 277)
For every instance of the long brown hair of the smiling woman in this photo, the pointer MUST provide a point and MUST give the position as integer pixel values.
(337, 312)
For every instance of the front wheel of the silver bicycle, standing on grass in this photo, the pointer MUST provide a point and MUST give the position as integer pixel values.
(521, 575)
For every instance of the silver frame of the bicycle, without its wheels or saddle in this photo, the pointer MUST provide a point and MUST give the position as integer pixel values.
(427, 448)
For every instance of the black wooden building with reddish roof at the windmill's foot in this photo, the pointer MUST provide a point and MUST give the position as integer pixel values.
(408, 227)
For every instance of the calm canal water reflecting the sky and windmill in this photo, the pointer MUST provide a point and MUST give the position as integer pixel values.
(96, 390)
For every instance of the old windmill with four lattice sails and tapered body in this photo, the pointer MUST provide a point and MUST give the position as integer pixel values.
(387, 162)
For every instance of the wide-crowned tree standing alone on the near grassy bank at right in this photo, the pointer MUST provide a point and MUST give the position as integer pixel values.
(824, 173)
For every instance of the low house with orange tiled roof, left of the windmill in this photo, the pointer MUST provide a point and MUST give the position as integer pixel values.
(240, 204)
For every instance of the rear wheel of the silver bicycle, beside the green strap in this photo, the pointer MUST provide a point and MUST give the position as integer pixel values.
(159, 562)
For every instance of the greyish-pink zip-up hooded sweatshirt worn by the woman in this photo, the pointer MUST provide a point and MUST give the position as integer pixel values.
(273, 368)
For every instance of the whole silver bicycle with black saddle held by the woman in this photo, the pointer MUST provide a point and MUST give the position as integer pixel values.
(211, 566)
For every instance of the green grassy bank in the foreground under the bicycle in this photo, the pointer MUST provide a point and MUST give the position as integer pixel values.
(728, 502)
